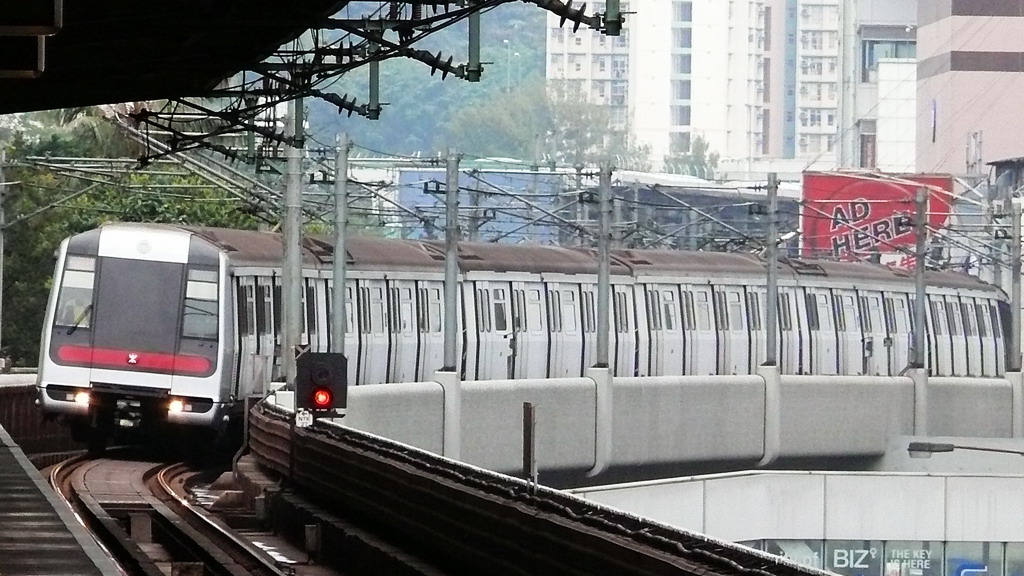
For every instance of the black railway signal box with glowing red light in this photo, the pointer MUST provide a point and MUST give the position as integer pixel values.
(321, 382)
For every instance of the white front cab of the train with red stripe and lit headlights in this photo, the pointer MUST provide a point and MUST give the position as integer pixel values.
(134, 334)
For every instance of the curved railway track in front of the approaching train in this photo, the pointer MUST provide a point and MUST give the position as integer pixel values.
(142, 515)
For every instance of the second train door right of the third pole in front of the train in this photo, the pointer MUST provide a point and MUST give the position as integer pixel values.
(530, 332)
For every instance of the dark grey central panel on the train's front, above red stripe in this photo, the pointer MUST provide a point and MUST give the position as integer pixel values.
(138, 305)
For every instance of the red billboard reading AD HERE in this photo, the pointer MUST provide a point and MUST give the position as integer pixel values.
(855, 216)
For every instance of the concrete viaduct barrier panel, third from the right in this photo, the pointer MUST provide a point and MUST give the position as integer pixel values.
(675, 420)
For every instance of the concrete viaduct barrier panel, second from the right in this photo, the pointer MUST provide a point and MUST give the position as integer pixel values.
(843, 416)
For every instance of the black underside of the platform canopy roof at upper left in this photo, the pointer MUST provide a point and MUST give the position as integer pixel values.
(108, 52)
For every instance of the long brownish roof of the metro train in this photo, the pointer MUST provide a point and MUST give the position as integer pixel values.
(253, 249)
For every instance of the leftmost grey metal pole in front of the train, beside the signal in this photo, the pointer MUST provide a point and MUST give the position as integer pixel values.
(292, 271)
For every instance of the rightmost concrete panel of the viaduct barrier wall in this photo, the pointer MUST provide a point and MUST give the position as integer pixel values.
(970, 407)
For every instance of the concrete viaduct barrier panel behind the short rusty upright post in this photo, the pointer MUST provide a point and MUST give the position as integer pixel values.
(492, 424)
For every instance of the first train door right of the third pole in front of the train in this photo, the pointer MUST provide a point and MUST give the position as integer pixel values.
(495, 358)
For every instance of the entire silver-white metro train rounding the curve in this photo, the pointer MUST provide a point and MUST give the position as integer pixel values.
(177, 324)
